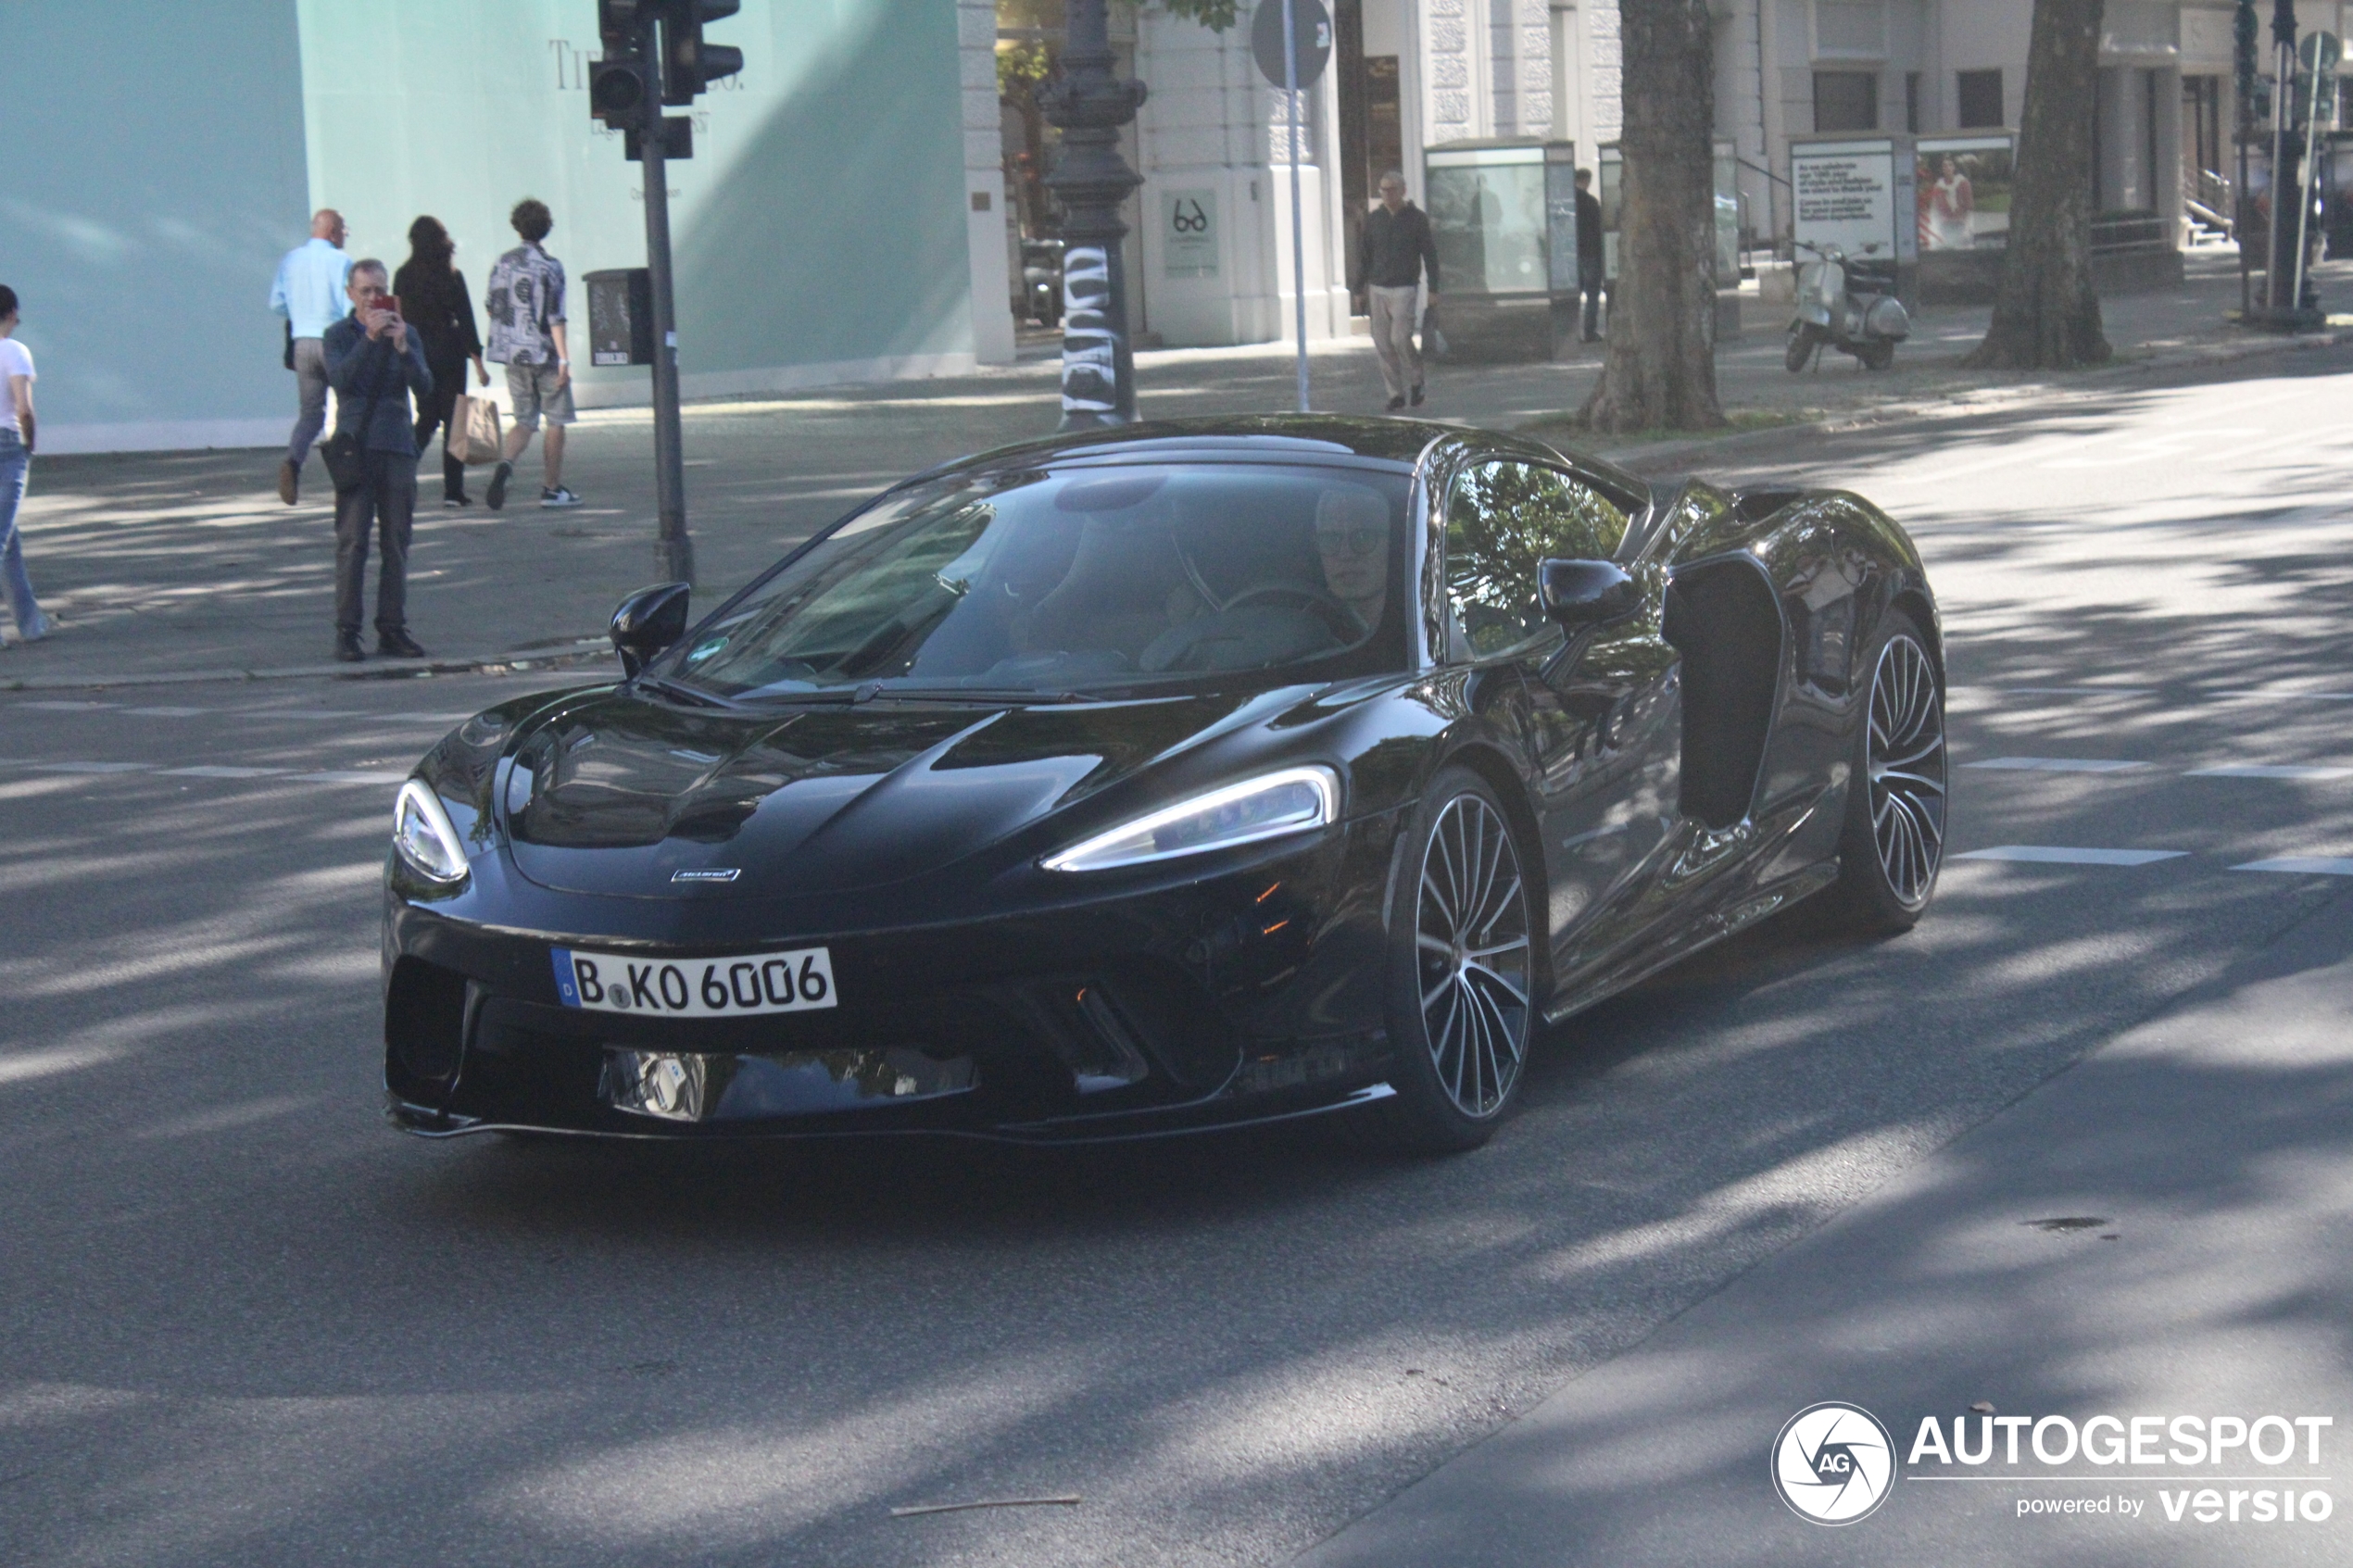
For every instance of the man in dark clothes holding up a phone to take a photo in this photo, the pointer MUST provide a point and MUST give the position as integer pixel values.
(373, 366)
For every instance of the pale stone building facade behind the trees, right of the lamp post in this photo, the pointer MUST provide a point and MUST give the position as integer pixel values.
(1411, 76)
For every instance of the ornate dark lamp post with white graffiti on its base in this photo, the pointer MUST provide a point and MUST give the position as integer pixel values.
(1091, 177)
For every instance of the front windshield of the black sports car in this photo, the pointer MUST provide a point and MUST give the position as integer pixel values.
(1079, 579)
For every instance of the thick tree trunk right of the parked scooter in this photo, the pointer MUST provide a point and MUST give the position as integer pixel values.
(2046, 314)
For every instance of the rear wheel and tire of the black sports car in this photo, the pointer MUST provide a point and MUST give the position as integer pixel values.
(1893, 840)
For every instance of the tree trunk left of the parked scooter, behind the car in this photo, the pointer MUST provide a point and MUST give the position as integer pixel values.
(1660, 368)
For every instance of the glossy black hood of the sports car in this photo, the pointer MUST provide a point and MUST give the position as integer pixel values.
(618, 793)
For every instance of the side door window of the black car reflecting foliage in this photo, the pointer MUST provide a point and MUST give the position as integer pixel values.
(1502, 521)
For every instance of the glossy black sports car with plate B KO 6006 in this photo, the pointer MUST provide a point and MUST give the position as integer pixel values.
(1161, 779)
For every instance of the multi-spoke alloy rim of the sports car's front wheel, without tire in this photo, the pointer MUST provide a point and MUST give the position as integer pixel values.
(1474, 956)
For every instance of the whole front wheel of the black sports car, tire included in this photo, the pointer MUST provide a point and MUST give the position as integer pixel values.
(1460, 972)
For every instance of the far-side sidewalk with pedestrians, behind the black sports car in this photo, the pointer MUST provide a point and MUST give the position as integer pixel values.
(175, 568)
